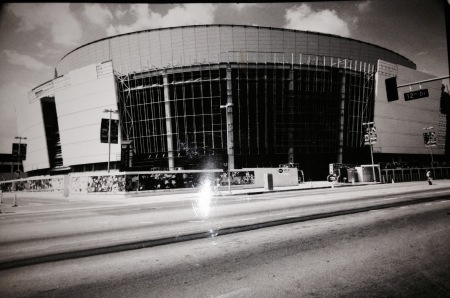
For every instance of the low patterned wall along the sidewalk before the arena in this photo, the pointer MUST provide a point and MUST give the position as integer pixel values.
(132, 182)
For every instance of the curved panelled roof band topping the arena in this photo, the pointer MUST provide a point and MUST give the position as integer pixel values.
(218, 39)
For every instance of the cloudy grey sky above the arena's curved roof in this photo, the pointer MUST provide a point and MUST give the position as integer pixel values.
(35, 36)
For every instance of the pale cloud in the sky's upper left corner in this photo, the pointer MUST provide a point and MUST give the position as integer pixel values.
(57, 18)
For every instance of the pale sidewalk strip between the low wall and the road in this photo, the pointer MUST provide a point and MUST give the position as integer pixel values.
(27, 203)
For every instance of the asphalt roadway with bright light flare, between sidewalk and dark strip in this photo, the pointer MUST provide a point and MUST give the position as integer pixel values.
(63, 233)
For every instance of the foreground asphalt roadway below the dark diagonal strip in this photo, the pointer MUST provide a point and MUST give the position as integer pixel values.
(393, 252)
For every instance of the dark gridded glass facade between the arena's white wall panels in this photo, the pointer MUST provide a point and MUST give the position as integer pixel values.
(308, 113)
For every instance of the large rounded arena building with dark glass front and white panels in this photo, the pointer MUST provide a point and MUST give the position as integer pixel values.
(189, 96)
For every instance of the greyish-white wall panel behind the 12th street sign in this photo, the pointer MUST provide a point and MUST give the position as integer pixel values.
(400, 123)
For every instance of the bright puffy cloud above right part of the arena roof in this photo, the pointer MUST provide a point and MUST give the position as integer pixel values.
(325, 21)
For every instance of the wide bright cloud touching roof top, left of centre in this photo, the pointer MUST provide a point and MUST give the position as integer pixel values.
(180, 15)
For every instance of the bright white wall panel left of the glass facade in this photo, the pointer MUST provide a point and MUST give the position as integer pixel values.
(80, 110)
